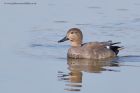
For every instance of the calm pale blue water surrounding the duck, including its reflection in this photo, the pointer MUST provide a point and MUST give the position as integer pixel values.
(31, 60)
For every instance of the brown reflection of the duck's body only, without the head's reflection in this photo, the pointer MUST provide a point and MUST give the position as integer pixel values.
(90, 66)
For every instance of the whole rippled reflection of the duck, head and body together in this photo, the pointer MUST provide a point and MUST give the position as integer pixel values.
(78, 66)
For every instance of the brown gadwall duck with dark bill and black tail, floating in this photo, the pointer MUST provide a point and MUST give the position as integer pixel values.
(90, 50)
